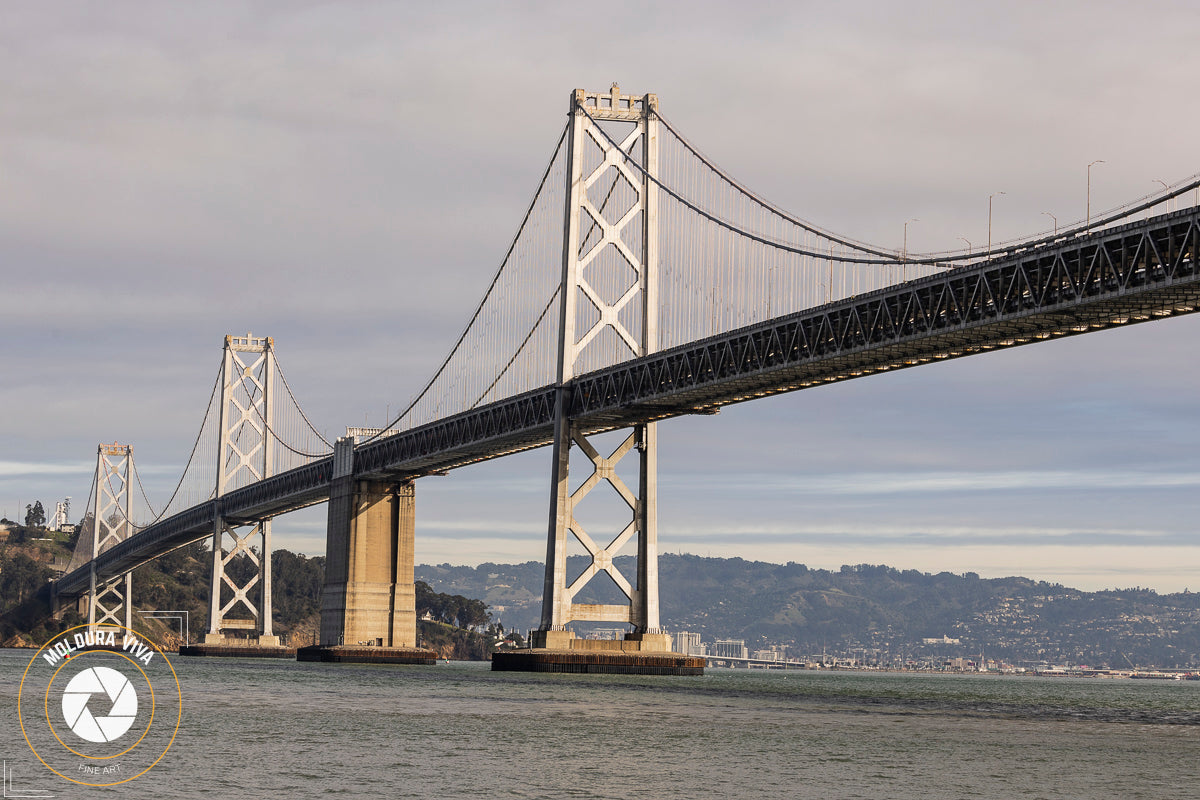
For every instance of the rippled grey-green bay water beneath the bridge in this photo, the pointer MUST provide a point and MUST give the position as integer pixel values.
(265, 729)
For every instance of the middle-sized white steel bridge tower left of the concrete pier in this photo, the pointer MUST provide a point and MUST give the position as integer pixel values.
(244, 455)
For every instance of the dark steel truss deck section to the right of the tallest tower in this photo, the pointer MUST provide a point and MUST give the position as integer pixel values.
(1123, 276)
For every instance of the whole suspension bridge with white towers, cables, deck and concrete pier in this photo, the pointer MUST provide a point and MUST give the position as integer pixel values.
(644, 284)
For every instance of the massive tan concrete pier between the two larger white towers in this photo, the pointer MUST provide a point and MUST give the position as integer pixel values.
(369, 601)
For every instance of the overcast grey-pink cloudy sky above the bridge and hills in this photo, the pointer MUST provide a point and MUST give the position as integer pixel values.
(345, 178)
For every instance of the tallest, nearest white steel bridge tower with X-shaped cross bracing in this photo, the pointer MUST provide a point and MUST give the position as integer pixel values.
(610, 299)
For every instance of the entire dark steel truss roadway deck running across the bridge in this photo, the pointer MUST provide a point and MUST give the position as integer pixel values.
(1118, 276)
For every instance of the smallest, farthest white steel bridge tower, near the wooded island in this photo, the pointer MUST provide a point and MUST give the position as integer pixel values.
(111, 603)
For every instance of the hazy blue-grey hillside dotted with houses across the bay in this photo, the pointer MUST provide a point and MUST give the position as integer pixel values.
(874, 607)
